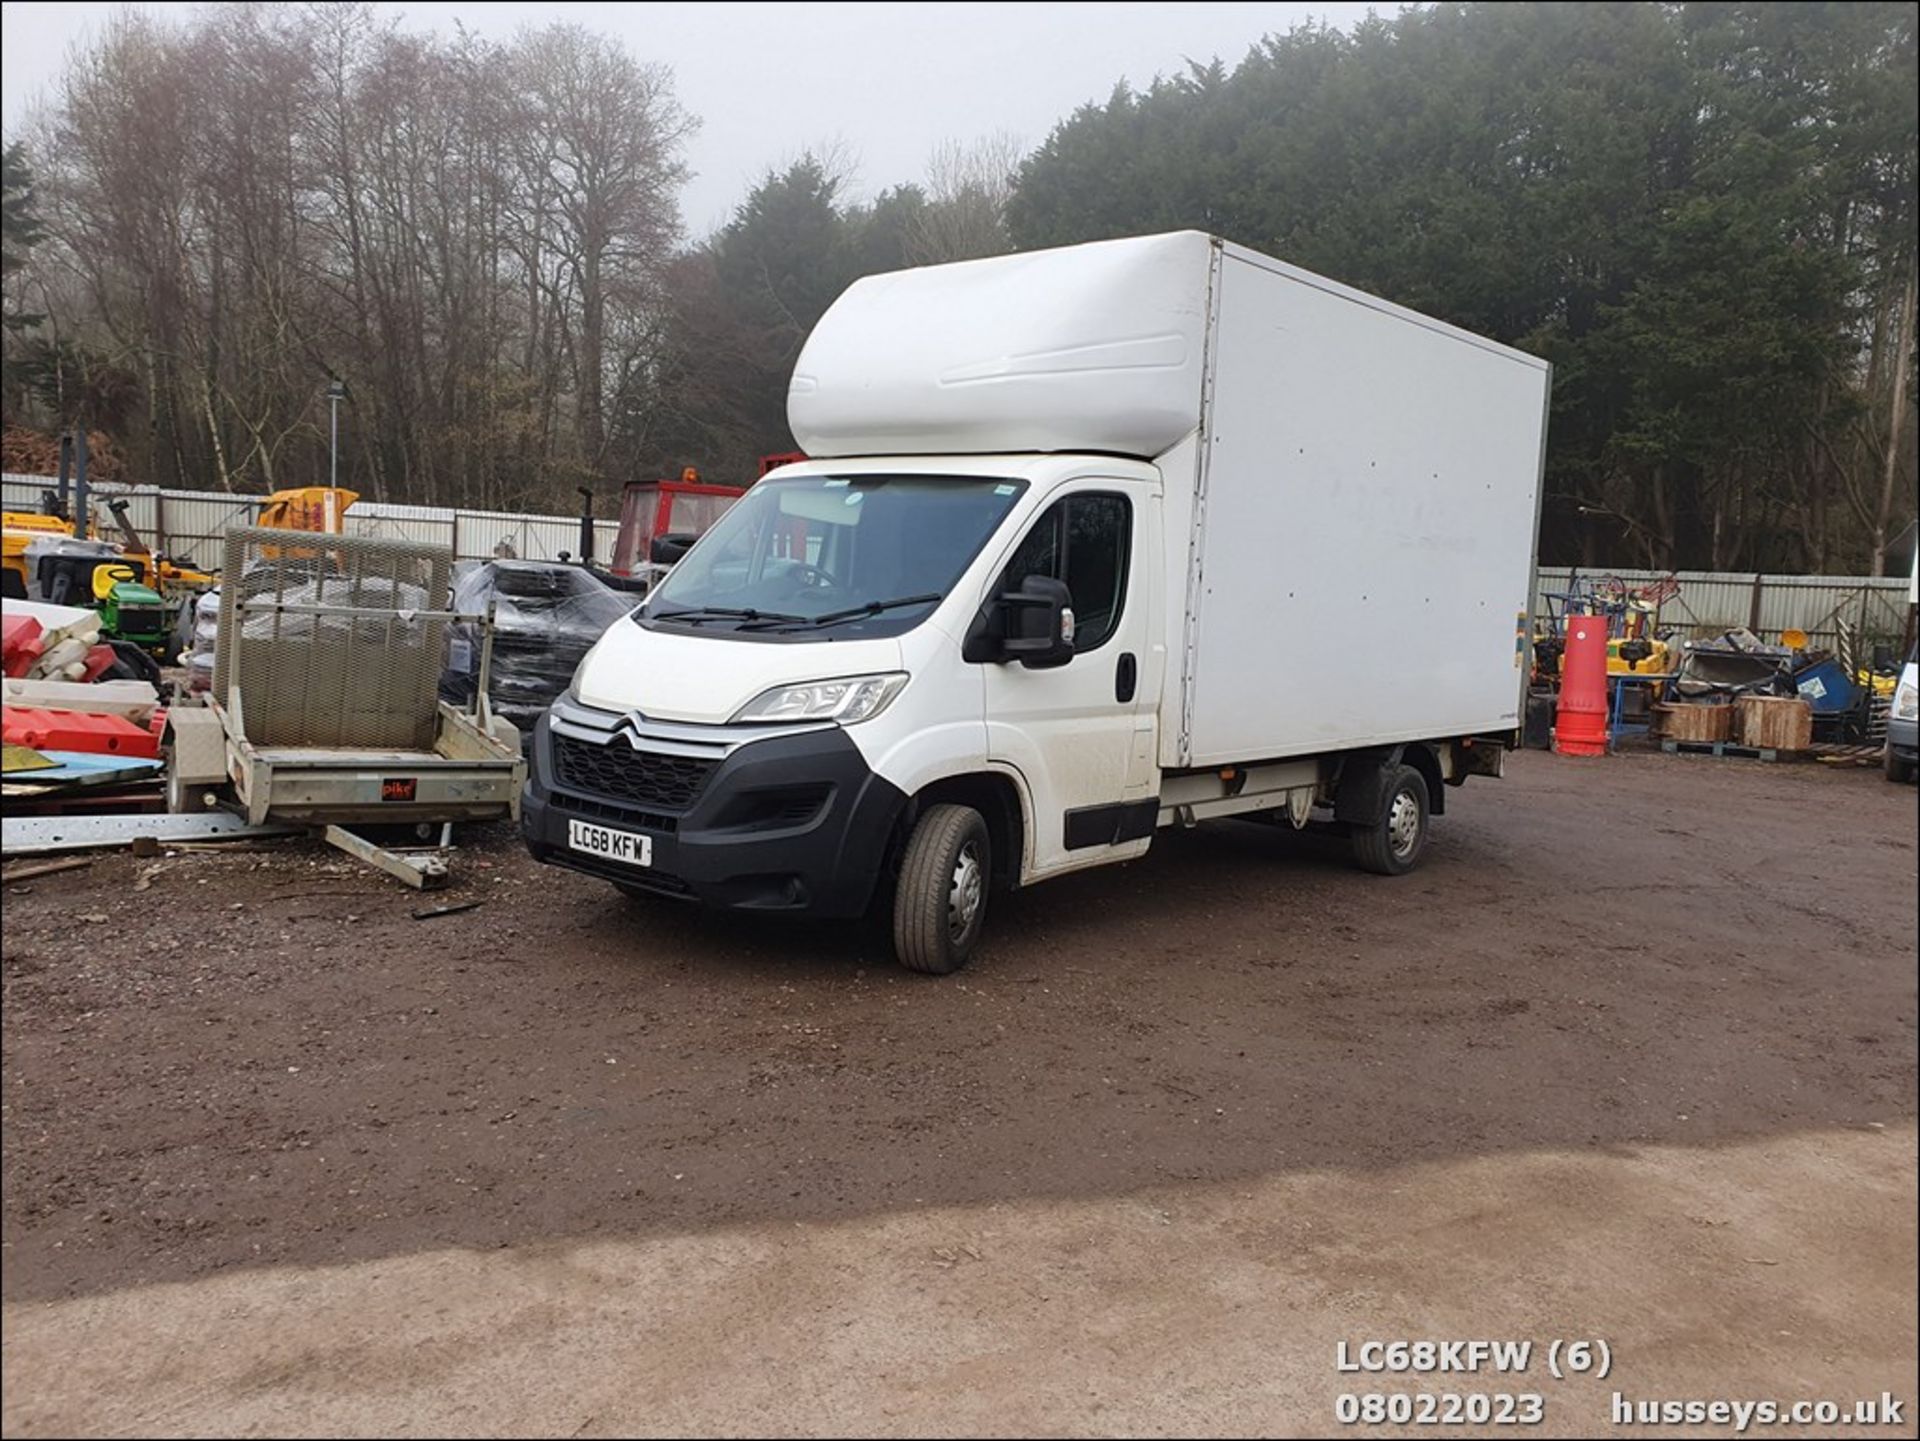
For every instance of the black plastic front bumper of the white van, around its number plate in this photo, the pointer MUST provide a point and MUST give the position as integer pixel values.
(773, 824)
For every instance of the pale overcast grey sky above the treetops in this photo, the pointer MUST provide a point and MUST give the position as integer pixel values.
(884, 82)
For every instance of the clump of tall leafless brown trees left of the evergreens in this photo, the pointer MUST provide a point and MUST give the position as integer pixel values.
(262, 201)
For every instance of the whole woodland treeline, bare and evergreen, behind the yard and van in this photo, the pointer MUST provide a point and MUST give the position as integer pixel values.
(1702, 214)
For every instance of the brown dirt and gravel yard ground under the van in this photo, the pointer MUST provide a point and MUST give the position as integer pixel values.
(1631, 1058)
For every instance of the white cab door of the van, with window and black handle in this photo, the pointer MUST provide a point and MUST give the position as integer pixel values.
(1082, 734)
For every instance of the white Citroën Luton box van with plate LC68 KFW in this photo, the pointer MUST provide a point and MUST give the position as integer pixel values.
(1093, 542)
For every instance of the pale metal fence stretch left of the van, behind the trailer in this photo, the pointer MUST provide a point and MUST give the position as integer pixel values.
(191, 527)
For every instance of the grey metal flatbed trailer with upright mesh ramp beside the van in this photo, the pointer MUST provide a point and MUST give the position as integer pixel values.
(325, 694)
